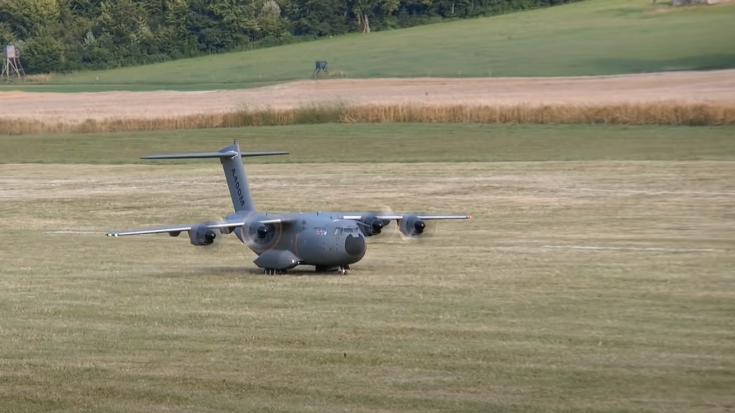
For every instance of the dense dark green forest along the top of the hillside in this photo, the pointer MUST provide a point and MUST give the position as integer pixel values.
(67, 35)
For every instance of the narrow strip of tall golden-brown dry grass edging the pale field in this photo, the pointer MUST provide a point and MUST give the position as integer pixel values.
(648, 113)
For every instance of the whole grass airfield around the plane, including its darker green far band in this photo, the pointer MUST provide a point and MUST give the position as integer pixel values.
(603, 283)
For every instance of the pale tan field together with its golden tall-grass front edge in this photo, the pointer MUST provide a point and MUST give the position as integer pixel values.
(655, 98)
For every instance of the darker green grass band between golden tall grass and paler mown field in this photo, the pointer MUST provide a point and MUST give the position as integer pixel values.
(378, 143)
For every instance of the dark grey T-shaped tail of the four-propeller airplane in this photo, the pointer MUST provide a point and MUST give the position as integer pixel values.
(231, 160)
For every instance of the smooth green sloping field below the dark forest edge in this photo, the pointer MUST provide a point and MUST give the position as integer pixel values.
(594, 37)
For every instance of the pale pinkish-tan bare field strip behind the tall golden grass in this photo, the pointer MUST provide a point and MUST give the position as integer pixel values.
(710, 86)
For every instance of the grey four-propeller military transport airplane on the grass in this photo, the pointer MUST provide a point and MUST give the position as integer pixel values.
(330, 241)
